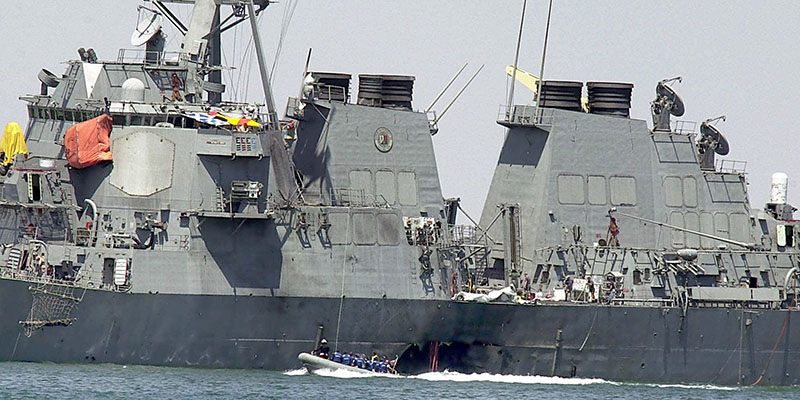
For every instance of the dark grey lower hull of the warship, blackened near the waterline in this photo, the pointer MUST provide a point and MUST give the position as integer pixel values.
(617, 343)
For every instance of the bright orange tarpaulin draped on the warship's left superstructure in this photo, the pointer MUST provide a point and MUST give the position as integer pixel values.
(87, 143)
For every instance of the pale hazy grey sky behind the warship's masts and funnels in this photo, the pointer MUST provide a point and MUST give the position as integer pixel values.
(737, 58)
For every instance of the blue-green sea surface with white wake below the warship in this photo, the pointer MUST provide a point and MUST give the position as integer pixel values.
(107, 381)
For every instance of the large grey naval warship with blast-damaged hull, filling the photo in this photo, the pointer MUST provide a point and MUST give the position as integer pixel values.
(145, 220)
